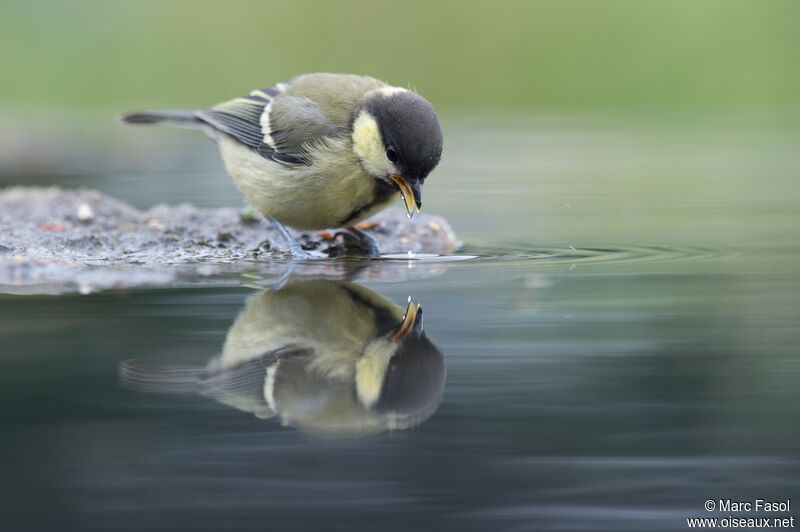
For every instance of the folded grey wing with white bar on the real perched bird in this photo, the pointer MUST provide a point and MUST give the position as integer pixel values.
(279, 126)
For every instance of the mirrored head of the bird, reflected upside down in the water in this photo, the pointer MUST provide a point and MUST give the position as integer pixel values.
(401, 374)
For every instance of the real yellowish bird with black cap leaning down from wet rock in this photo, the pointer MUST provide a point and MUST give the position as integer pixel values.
(321, 151)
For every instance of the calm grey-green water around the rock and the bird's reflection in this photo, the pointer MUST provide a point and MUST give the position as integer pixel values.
(614, 386)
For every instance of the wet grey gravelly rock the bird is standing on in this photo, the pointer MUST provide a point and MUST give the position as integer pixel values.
(88, 240)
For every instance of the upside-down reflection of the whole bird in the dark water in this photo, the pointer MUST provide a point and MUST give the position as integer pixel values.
(327, 357)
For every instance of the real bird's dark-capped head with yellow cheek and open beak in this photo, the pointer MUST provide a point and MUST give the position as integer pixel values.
(397, 138)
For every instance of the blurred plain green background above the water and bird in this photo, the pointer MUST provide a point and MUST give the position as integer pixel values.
(464, 56)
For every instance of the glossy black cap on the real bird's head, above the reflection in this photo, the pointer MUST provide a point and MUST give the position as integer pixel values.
(410, 131)
